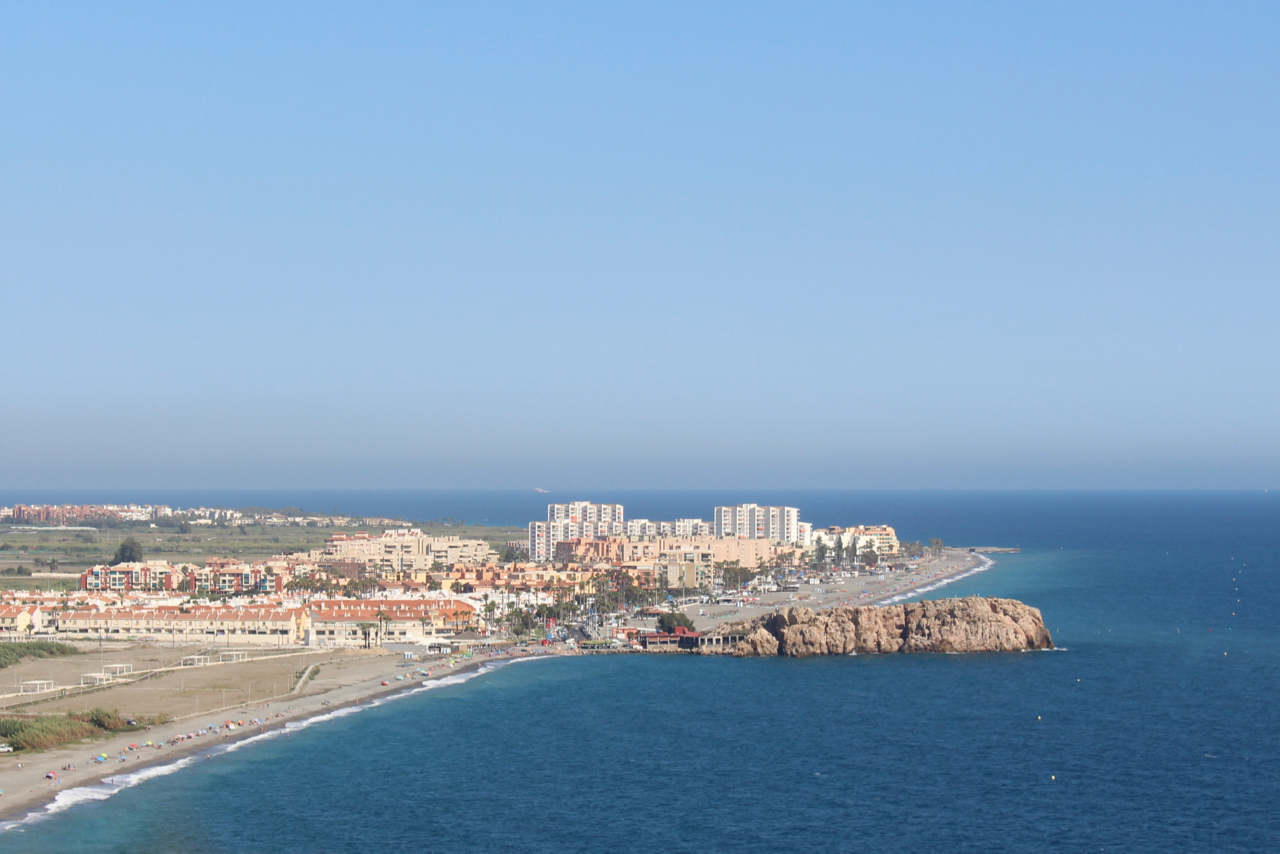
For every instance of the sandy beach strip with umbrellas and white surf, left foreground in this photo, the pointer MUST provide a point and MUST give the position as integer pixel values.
(24, 803)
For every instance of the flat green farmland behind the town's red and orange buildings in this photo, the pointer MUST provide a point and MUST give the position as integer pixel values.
(75, 551)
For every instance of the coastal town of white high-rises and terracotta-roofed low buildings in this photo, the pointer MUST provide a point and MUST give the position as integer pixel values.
(584, 574)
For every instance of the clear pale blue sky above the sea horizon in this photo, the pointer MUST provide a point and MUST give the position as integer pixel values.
(1027, 245)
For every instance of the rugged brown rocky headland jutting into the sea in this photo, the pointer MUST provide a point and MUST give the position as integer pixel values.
(939, 627)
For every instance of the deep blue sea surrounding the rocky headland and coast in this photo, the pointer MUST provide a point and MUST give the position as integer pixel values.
(1156, 727)
